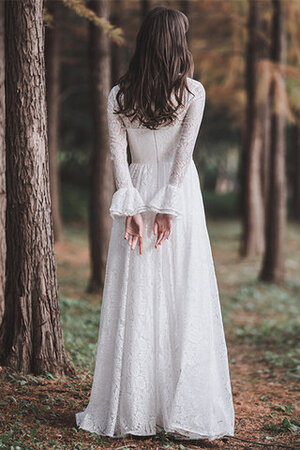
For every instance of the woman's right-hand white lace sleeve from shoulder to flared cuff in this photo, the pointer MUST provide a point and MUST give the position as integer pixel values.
(168, 199)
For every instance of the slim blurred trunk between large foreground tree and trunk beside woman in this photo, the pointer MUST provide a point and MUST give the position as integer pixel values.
(52, 44)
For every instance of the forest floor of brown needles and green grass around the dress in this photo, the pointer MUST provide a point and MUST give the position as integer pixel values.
(261, 328)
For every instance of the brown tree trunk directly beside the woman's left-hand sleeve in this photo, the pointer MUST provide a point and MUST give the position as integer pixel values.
(102, 185)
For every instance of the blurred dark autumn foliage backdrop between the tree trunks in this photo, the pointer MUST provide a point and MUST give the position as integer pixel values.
(218, 37)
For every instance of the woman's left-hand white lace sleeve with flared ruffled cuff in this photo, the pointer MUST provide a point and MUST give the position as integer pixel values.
(126, 200)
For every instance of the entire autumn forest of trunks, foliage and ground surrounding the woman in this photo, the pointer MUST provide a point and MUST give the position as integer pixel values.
(58, 61)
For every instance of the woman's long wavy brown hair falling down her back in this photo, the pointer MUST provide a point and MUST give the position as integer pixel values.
(159, 67)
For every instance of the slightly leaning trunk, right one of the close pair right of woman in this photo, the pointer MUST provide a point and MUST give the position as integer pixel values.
(273, 269)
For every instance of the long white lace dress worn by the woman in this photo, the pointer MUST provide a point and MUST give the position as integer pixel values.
(161, 359)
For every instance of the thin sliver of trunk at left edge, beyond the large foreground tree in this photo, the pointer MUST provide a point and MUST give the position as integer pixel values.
(2, 164)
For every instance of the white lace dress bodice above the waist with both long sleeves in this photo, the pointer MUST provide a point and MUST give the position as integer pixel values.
(174, 143)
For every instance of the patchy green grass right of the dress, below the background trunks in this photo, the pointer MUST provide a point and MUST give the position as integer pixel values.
(262, 315)
